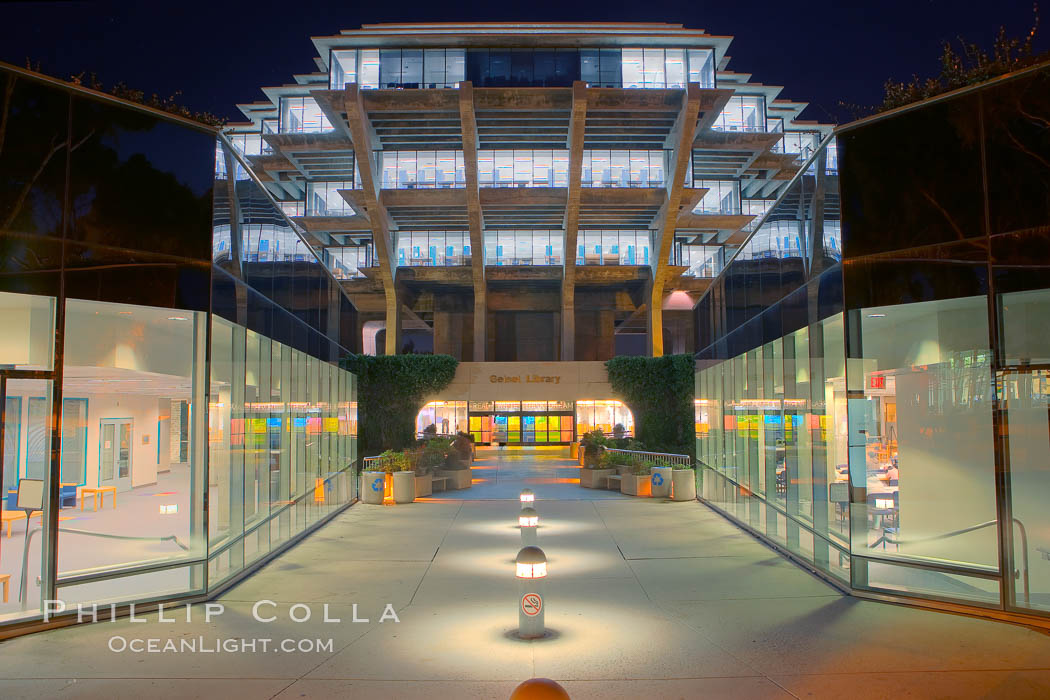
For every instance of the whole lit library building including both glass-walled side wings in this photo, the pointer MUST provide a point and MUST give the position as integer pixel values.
(868, 304)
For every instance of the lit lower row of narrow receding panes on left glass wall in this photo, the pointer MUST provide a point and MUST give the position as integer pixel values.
(282, 446)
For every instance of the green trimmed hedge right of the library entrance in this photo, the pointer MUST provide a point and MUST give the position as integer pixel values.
(660, 393)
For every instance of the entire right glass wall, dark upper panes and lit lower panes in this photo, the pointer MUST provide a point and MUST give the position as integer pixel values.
(886, 420)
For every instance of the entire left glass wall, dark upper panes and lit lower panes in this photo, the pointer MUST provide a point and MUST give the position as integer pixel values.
(120, 292)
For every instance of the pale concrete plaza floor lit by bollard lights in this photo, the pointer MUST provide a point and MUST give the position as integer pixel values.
(645, 600)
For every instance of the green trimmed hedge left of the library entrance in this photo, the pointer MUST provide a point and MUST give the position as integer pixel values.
(390, 394)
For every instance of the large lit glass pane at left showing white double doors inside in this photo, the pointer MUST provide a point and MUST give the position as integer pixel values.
(130, 447)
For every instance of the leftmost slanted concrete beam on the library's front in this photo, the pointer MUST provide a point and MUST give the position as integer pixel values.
(362, 135)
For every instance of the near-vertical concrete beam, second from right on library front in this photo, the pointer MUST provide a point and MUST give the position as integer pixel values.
(578, 124)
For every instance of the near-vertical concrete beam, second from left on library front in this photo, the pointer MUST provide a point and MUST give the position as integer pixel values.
(469, 126)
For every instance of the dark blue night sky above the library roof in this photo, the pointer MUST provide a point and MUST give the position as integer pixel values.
(221, 54)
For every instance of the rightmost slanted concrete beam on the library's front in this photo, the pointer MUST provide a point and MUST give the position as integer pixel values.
(685, 135)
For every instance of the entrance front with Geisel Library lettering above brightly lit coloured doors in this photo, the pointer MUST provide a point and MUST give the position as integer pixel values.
(527, 402)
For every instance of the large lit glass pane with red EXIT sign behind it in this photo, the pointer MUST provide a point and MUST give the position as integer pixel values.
(925, 434)
